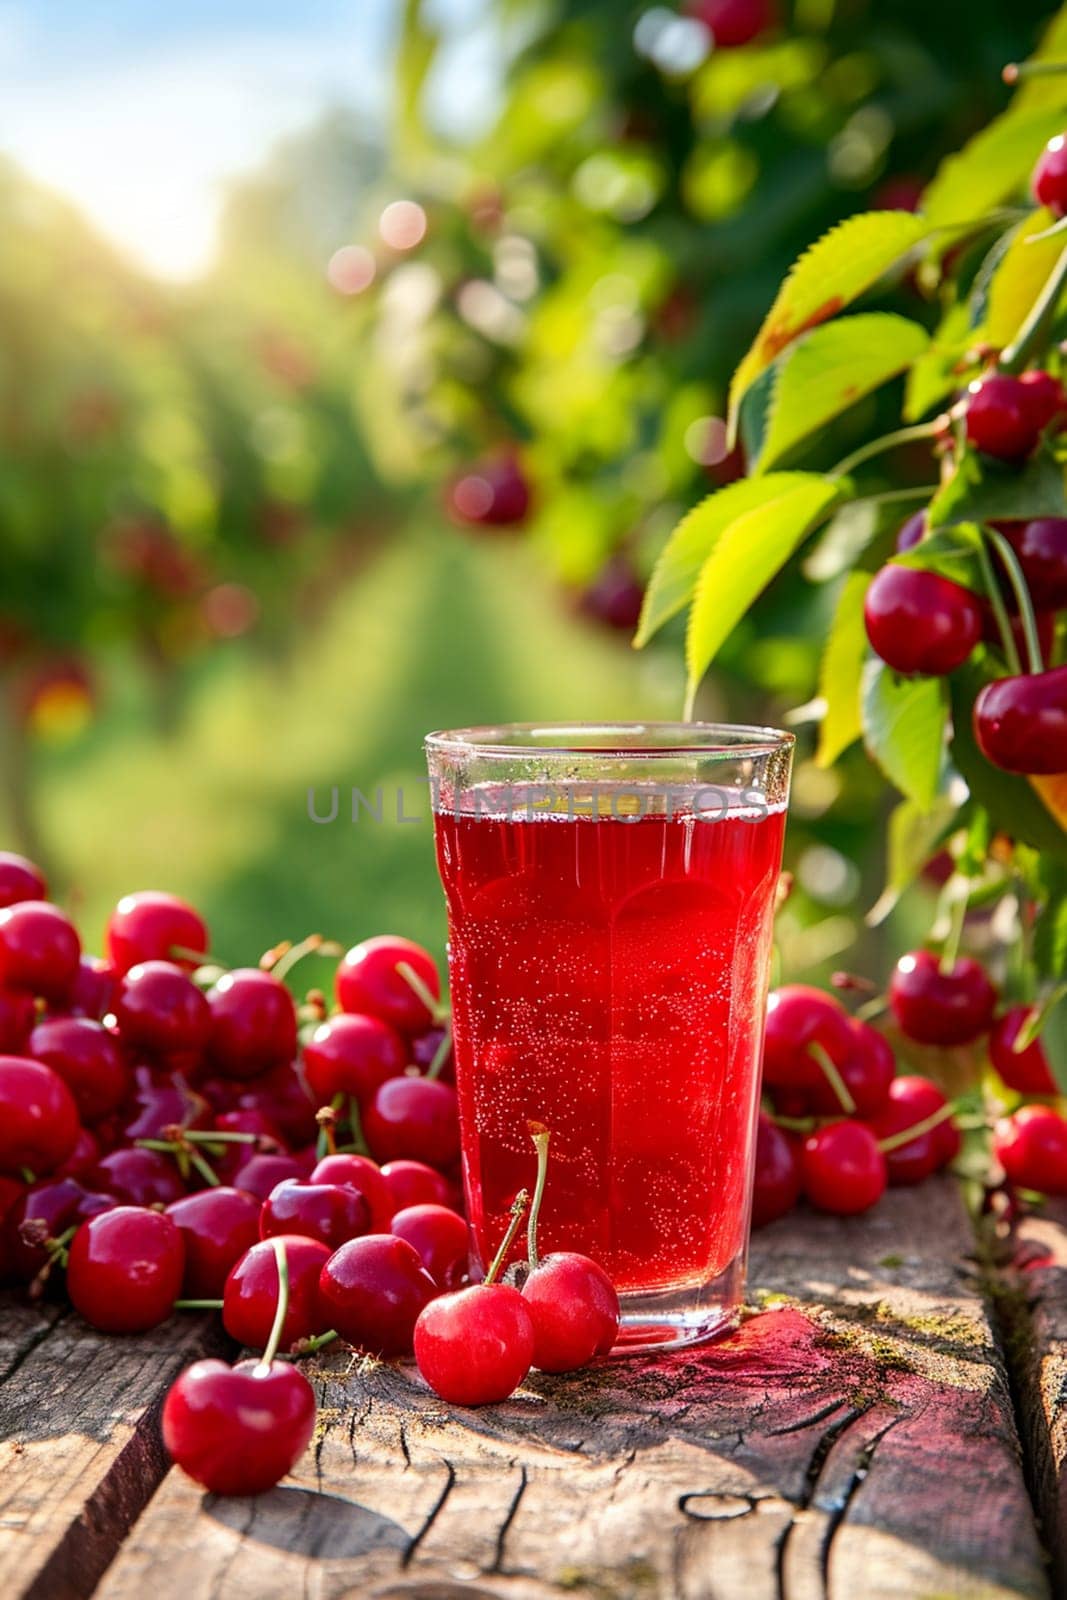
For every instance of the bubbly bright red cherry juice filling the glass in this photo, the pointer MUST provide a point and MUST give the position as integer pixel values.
(609, 978)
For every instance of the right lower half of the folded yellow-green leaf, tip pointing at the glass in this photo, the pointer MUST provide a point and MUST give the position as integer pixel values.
(745, 559)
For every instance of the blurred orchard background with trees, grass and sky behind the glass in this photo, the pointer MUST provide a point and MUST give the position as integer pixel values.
(356, 361)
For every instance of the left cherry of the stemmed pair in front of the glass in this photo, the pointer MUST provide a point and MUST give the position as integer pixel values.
(476, 1346)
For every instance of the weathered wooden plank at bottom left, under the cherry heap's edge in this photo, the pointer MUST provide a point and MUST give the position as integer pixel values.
(81, 1450)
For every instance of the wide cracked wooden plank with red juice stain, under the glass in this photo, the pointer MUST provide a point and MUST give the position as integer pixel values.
(855, 1439)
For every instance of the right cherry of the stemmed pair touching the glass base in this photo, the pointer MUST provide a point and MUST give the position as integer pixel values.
(575, 1313)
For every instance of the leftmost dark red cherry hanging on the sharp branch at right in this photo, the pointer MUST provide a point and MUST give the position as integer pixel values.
(921, 622)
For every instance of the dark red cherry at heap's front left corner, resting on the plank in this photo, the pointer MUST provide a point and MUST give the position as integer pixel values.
(126, 1270)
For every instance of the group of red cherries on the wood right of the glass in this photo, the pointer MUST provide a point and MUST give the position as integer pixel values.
(839, 1124)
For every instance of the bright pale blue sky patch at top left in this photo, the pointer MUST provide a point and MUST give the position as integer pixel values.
(140, 111)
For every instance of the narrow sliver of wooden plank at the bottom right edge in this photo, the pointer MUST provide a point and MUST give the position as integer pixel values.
(1033, 1308)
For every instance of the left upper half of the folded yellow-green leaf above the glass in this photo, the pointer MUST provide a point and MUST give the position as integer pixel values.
(692, 543)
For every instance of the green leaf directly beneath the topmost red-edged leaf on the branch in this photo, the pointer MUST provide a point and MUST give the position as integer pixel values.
(831, 370)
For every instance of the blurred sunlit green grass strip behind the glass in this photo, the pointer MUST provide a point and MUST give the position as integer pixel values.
(439, 631)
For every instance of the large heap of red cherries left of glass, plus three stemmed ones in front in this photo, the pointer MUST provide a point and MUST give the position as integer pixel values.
(175, 1135)
